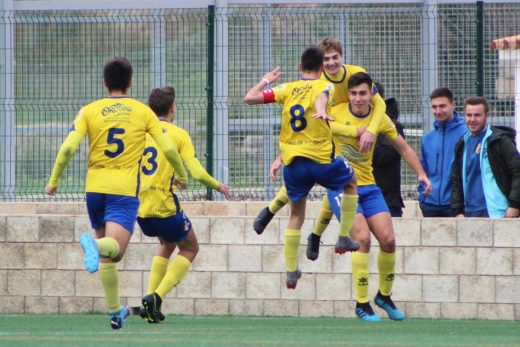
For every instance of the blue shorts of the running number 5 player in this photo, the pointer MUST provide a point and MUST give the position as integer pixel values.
(119, 209)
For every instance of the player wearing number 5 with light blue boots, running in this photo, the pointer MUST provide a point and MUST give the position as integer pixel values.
(116, 127)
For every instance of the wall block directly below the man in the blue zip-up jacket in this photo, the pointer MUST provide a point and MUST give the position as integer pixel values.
(439, 232)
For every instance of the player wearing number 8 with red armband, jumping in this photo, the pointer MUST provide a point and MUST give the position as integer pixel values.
(307, 150)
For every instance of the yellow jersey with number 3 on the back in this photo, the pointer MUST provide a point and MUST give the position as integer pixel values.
(157, 192)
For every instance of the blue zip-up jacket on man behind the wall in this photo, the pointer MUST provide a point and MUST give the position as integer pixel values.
(437, 155)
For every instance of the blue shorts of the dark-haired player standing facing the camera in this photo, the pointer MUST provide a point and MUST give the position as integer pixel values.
(370, 201)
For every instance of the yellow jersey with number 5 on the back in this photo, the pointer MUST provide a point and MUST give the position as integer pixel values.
(116, 128)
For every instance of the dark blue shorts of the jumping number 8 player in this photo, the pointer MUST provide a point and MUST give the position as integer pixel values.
(301, 175)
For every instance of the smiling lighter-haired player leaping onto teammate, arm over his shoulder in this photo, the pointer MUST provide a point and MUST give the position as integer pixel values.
(337, 73)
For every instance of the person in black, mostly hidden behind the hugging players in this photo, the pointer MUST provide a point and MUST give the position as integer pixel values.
(387, 161)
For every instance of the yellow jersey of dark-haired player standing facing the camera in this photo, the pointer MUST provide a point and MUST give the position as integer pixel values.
(348, 147)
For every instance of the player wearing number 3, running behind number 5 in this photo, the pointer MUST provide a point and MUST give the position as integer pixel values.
(160, 214)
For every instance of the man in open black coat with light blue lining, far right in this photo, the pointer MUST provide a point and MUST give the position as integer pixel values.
(485, 179)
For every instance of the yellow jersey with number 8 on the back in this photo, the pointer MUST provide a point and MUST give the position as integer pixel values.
(301, 135)
